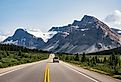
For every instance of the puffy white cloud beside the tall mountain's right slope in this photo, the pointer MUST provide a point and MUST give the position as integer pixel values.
(114, 19)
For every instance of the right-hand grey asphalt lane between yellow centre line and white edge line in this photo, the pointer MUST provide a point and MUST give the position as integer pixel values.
(61, 73)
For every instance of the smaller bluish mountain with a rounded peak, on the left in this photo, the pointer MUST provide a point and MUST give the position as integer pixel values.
(23, 38)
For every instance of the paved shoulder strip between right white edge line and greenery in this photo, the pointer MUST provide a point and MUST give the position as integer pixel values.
(98, 76)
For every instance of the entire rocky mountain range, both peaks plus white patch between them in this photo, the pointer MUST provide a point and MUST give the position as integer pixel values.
(88, 35)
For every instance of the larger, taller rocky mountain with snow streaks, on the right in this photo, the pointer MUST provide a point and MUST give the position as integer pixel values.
(88, 35)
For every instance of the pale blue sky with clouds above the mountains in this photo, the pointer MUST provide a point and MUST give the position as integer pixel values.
(44, 14)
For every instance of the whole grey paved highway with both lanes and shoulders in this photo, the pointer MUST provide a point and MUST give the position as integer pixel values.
(58, 72)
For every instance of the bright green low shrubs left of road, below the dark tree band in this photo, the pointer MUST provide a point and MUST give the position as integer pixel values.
(11, 58)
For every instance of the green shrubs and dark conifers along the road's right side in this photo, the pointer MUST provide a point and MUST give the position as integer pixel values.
(106, 64)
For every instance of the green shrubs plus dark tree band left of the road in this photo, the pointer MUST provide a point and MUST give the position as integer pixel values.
(11, 55)
